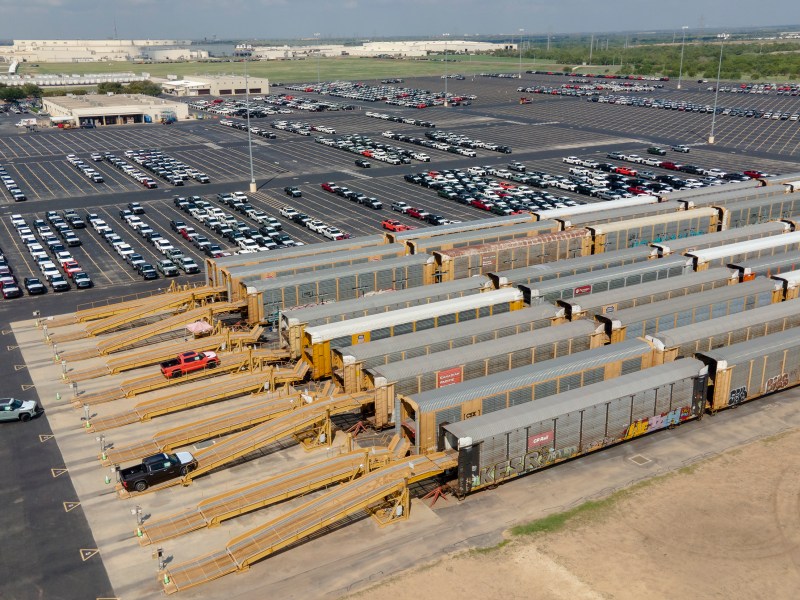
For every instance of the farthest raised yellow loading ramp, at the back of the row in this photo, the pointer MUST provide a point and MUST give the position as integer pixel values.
(126, 313)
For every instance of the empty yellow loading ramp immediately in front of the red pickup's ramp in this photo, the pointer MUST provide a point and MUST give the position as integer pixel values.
(231, 388)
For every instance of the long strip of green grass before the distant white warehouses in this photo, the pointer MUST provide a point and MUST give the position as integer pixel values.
(346, 68)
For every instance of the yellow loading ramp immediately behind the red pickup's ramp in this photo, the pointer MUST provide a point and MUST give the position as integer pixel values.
(151, 356)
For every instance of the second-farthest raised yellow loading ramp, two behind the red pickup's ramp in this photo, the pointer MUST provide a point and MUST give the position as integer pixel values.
(125, 339)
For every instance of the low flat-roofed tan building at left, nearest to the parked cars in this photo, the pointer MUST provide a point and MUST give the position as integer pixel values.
(118, 109)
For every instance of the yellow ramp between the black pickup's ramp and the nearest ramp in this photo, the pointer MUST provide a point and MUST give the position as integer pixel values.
(212, 511)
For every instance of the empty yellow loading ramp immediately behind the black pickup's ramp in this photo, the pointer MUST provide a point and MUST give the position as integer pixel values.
(266, 407)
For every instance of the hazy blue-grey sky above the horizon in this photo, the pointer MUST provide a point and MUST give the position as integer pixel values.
(367, 19)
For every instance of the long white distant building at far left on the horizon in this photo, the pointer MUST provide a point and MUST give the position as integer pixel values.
(41, 51)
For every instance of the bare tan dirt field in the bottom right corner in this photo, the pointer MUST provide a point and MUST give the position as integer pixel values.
(726, 528)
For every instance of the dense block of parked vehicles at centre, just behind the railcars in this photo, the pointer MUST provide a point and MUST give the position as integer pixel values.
(477, 187)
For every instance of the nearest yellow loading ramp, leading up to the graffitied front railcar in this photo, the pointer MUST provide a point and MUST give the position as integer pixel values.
(382, 493)
